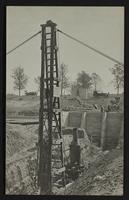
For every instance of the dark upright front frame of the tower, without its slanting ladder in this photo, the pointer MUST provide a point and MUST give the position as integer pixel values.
(46, 108)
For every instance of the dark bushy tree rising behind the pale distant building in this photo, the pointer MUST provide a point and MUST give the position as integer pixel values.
(84, 80)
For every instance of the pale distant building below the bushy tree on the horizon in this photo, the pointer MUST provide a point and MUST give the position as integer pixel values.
(83, 93)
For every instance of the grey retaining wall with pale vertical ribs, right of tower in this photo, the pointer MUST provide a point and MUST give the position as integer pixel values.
(102, 128)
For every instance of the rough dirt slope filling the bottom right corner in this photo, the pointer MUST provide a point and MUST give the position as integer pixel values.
(104, 177)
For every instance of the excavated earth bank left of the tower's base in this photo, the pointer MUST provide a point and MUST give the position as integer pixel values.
(20, 146)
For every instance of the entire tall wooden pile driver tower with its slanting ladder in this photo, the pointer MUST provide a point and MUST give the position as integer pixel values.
(50, 152)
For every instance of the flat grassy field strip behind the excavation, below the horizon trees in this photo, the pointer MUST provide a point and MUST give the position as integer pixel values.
(29, 105)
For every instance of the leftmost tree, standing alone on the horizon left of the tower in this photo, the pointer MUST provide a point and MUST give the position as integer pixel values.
(20, 79)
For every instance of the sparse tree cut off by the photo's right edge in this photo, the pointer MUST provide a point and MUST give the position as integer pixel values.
(118, 73)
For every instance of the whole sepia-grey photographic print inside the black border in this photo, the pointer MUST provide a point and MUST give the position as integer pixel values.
(64, 100)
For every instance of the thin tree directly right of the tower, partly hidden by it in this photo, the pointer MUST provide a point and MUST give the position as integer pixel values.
(63, 76)
